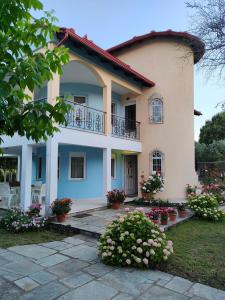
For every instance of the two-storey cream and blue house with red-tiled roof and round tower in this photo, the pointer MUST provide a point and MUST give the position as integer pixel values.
(132, 112)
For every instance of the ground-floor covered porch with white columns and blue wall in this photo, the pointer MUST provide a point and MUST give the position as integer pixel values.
(81, 173)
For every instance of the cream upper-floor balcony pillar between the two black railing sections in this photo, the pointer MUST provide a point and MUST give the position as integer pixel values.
(107, 101)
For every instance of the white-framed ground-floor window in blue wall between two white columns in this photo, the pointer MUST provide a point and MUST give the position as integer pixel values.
(77, 166)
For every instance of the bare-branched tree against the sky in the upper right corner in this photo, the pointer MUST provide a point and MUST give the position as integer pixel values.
(209, 24)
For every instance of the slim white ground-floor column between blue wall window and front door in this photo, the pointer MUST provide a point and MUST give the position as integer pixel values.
(106, 171)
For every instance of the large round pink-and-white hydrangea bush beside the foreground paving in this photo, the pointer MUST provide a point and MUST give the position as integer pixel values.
(133, 240)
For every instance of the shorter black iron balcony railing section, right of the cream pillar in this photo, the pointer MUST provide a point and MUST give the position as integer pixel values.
(125, 128)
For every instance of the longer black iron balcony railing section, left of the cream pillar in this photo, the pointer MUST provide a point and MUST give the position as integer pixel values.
(85, 118)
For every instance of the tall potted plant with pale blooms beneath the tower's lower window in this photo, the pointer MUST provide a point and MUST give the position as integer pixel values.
(150, 187)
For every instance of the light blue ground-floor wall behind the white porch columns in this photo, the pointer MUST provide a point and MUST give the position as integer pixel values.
(92, 185)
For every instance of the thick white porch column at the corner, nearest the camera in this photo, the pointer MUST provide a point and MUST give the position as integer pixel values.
(51, 172)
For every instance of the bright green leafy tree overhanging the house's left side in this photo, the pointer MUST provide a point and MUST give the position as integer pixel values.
(22, 69)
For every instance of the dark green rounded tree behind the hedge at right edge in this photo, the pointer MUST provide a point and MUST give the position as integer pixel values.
(213, 130)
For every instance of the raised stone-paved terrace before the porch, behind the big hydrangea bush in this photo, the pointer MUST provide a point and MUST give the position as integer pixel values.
(97, 220)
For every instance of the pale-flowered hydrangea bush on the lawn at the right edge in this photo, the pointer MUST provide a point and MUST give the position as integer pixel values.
(206, 207)
